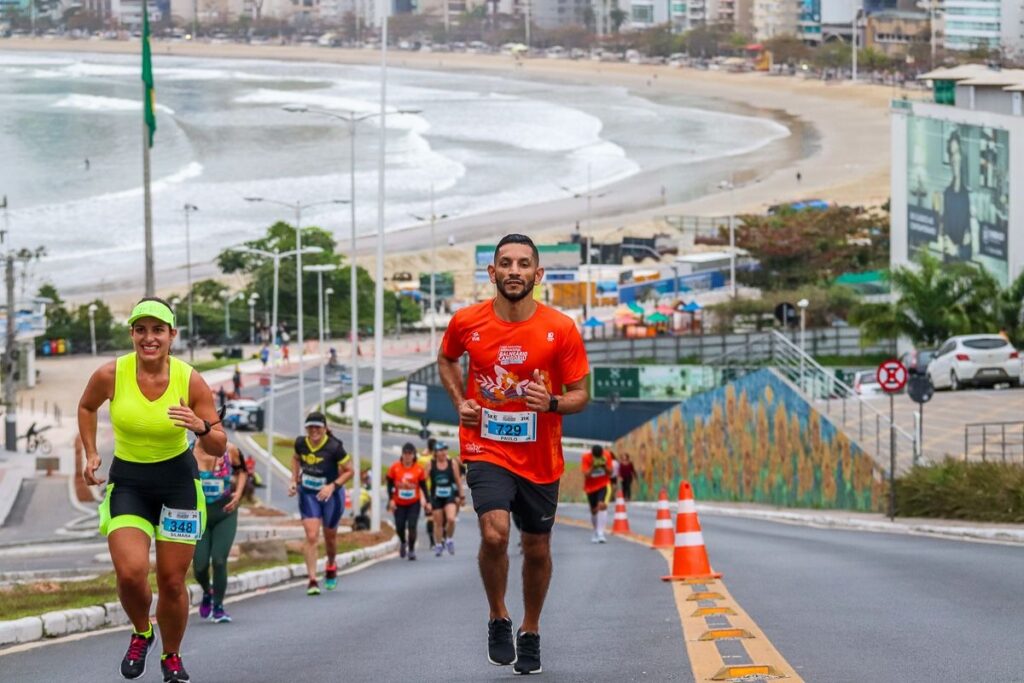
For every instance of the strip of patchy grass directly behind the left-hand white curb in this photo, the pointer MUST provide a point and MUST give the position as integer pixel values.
(36, 599)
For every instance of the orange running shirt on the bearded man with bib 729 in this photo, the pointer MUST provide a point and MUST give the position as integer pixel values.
(502, 360)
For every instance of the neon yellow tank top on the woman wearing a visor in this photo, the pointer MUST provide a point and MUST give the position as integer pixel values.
(143, 433)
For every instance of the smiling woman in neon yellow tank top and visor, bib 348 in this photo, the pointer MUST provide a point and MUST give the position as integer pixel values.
(154, 490)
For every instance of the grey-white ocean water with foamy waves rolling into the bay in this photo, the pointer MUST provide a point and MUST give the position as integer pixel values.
(483, 143)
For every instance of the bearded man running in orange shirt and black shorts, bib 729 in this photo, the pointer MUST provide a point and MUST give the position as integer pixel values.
(528, 367)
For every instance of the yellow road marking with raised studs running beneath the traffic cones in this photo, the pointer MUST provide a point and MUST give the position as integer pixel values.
(705, 659)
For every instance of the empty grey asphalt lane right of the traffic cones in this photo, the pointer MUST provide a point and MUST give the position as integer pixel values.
(851, 607)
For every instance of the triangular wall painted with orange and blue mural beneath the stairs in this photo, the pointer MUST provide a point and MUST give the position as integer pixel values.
(753, 441)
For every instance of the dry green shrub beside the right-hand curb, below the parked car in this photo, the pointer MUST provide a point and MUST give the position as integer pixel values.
(956, 490)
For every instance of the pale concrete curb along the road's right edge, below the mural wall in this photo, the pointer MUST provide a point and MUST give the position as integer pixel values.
(822, 521)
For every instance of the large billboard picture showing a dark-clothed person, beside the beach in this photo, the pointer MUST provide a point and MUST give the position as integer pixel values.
(959, 193)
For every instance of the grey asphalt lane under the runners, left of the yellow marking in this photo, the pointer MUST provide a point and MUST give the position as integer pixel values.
(423, 621)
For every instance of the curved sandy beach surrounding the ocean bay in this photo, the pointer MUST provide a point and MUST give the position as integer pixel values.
(840, 147)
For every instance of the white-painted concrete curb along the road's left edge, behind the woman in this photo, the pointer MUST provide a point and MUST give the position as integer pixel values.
(67, 622)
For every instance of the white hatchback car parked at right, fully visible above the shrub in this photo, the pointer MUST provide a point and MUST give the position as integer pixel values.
(977, 361)
